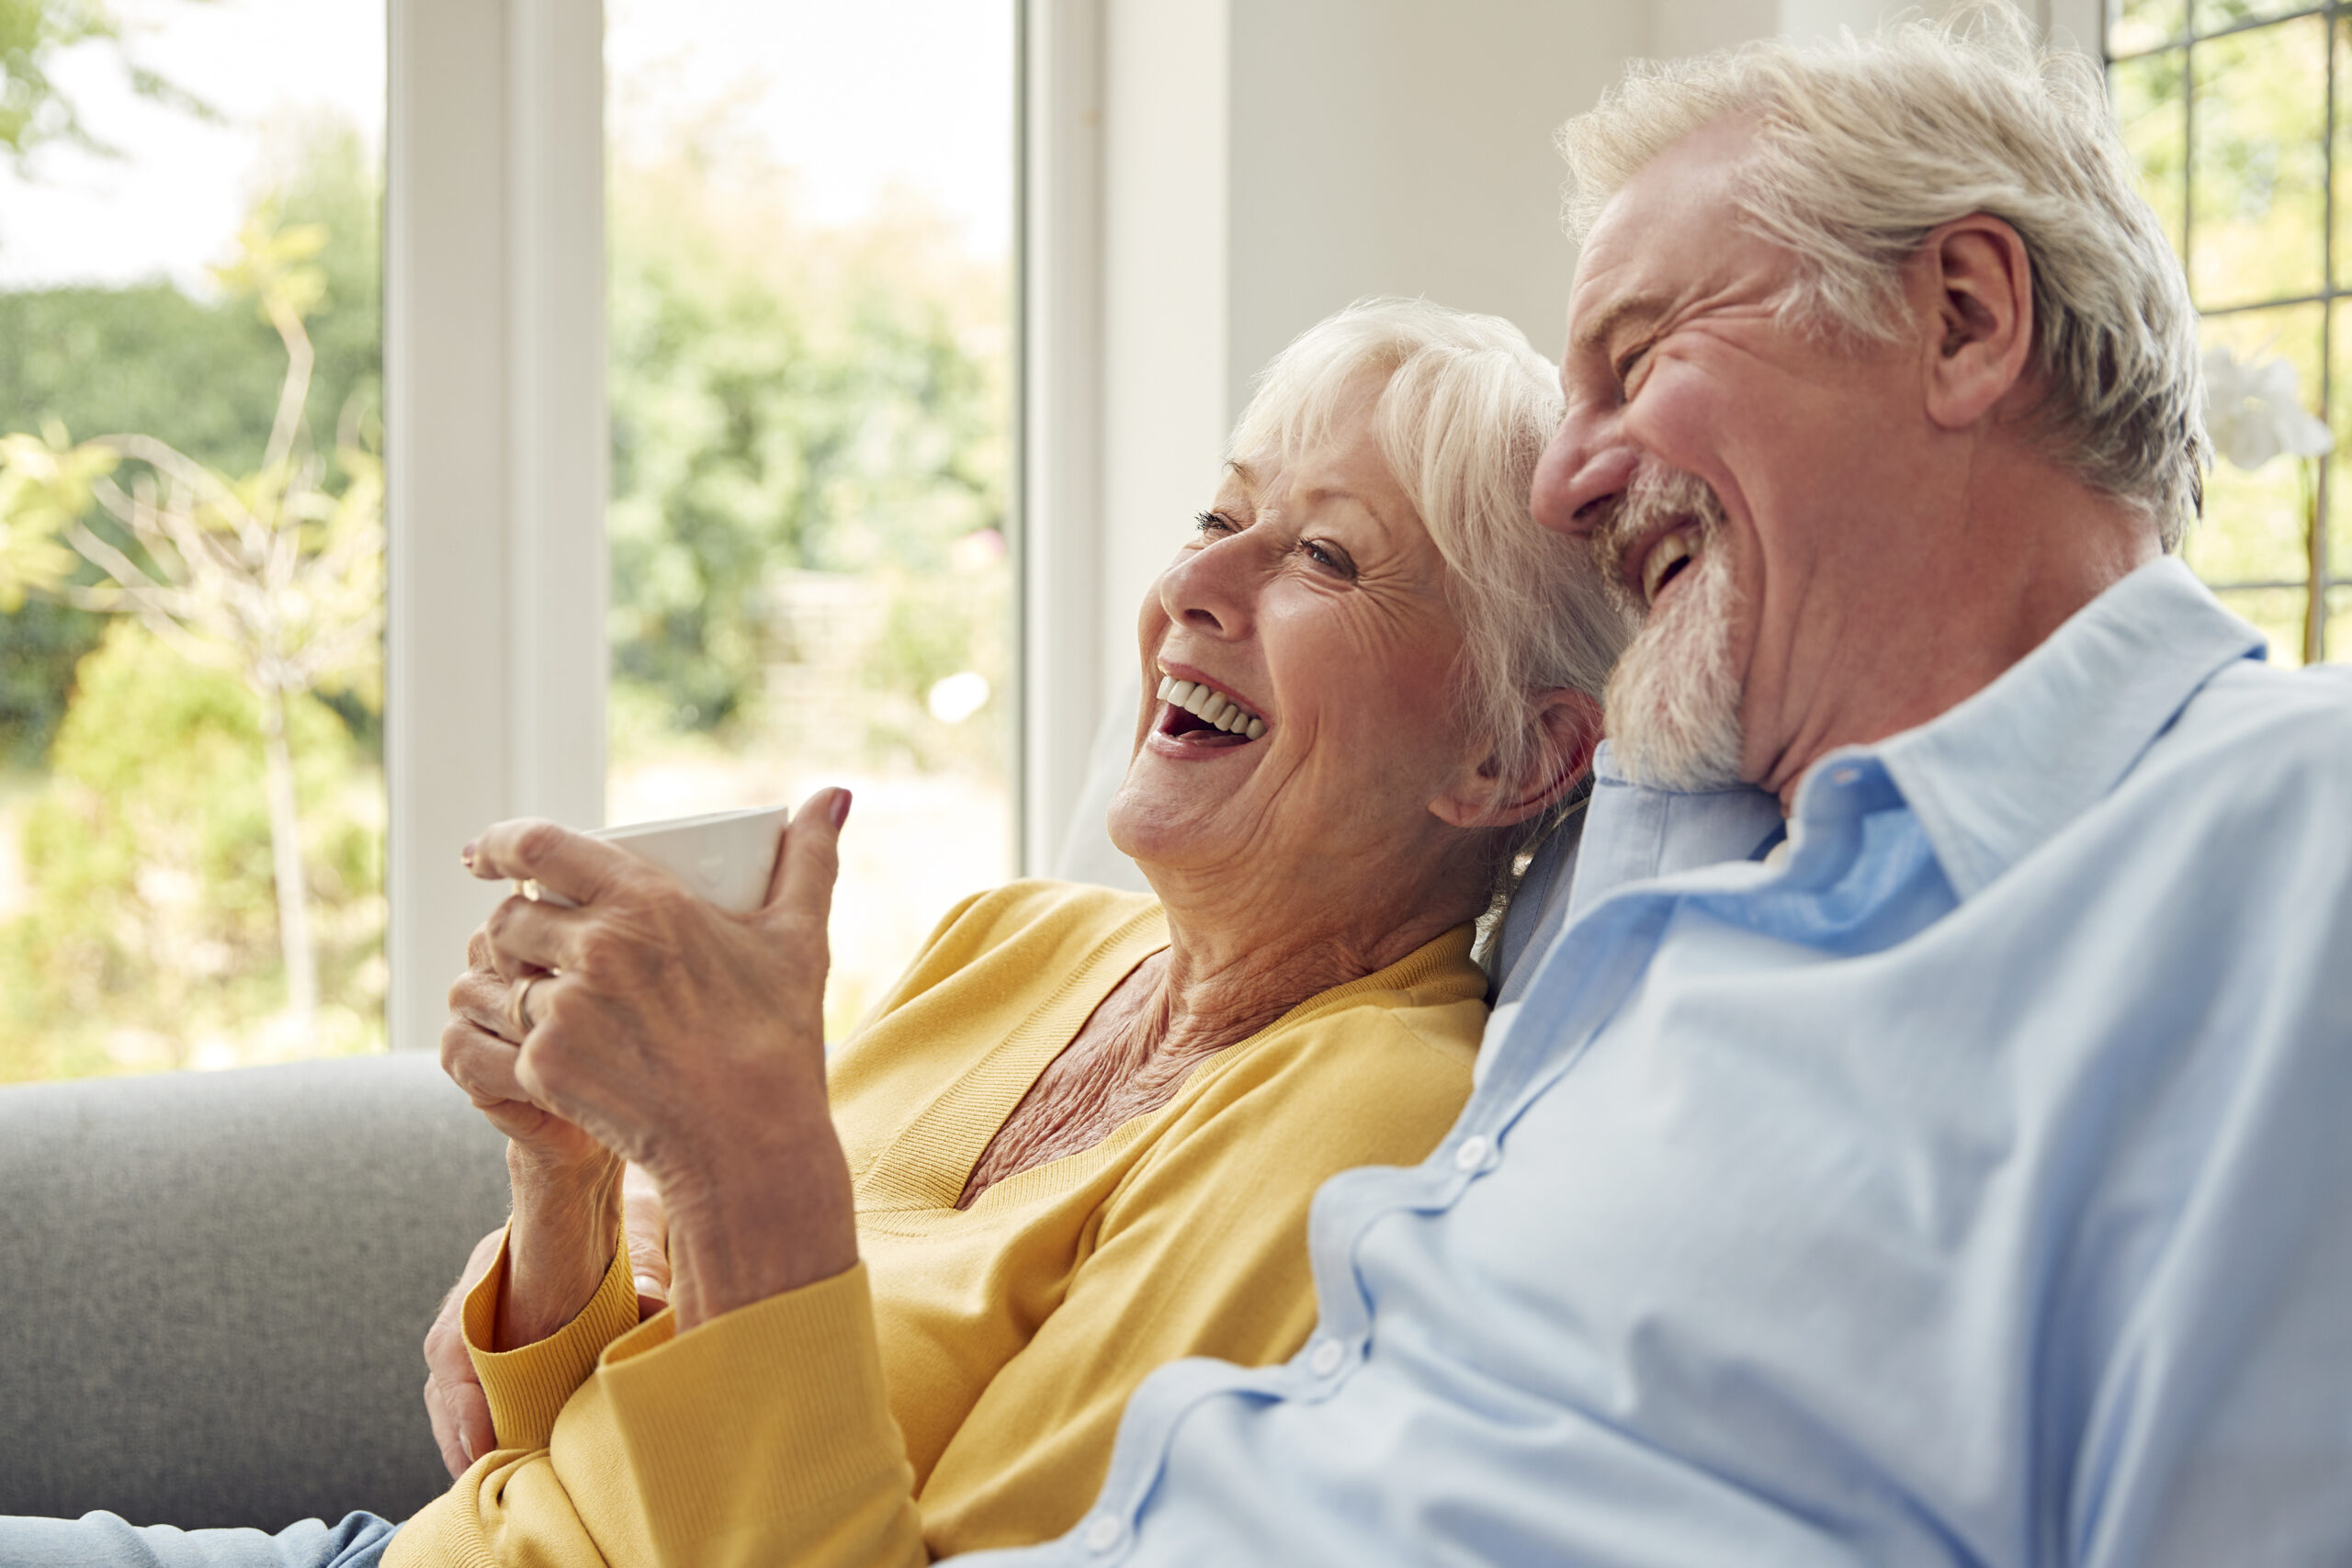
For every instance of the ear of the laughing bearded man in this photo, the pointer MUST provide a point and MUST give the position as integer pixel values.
(1972, 286)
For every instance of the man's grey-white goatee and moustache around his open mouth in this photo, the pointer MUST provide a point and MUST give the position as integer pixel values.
(1673, 702)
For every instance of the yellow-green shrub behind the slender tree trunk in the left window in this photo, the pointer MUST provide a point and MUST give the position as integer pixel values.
(149, 855)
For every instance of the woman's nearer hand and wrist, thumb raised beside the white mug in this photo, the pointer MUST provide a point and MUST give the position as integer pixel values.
(690, 1043)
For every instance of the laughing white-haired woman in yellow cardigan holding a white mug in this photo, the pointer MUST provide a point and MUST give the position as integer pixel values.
(916, 1285)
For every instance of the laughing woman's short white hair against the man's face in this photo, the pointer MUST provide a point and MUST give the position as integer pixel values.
(1464, 413)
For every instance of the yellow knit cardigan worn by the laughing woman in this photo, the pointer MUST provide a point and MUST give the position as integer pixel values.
(963, 1386)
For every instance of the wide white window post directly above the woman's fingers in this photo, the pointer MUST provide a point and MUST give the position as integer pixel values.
(495, 455)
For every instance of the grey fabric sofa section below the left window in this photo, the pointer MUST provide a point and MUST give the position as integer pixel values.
(215, 1287)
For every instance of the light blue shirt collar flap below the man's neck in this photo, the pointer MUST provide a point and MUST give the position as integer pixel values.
(2059, 730)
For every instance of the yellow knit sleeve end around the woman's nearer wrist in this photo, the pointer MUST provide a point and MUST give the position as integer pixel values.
(808, 1473)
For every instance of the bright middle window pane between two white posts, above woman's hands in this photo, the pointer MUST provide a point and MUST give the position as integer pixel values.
(810, 213)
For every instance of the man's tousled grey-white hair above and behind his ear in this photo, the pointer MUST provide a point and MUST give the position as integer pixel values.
(1862, 147)
